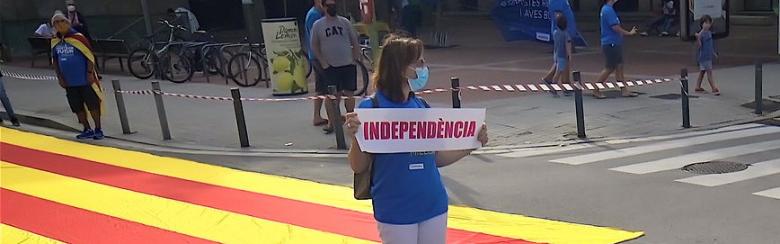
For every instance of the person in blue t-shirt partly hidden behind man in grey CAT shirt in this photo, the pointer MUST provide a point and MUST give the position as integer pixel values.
(315, 13)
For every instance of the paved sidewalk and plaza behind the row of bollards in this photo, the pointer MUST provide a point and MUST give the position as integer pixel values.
(481, 58)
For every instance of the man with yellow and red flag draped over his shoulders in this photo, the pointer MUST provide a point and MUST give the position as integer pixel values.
(74, 63)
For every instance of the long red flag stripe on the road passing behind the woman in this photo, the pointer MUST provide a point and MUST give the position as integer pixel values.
(309, 215)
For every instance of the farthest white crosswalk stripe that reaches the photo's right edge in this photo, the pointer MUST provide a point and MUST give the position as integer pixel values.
(699, 140)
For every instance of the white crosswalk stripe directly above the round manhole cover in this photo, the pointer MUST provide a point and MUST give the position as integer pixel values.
(680, 161)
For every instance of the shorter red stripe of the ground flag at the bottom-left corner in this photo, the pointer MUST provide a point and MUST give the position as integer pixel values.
(75, 225)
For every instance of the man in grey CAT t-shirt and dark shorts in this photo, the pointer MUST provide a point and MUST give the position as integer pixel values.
(335, 46)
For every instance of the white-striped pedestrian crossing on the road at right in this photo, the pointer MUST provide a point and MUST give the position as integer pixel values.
(736, 142)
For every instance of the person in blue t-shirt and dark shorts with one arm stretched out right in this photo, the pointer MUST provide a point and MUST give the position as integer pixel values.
(612, 47)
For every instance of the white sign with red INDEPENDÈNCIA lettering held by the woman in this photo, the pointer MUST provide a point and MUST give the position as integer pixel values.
(419, 130)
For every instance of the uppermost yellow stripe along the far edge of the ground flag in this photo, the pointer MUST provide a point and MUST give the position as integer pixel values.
(470, 219)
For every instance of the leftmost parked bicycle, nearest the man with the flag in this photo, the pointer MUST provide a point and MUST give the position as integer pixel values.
(174, 66)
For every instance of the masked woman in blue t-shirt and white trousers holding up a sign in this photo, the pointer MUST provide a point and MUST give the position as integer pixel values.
(409, 199)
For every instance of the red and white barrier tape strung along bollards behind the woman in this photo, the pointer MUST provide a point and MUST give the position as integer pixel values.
(497, 88)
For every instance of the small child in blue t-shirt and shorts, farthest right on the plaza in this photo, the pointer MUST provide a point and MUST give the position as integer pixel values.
(706, 54)
